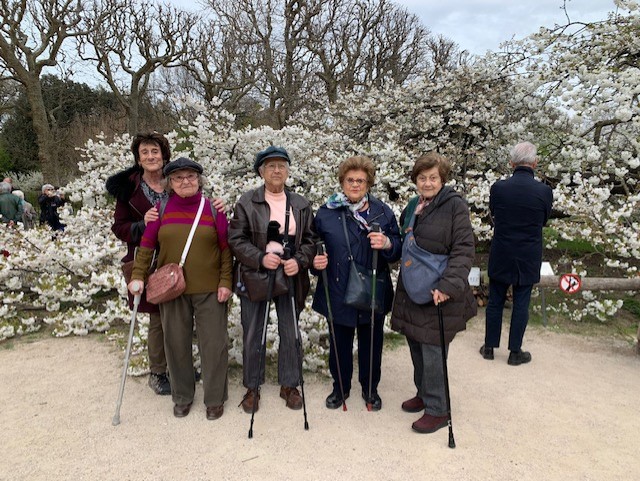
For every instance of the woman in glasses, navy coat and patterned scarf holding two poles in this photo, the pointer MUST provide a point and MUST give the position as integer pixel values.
(360, 210)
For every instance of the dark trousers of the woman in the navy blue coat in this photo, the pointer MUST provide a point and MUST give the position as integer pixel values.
(344, 341)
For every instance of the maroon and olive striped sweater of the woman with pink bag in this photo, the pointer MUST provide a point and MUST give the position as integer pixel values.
(209, 261)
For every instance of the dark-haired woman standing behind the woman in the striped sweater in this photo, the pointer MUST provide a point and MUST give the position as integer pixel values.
(137, 191)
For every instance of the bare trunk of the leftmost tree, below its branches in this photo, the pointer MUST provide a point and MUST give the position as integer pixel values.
(47, 151)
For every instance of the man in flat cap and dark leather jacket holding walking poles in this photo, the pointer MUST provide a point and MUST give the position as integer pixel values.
(248, 237)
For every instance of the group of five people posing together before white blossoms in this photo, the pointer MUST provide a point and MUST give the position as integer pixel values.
(274, 233)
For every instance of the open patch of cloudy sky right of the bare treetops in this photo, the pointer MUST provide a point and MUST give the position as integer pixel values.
(481, 25)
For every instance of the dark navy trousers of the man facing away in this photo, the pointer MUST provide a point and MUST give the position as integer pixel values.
(519, 314)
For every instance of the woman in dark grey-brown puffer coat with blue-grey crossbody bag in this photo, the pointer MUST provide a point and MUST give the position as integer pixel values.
(441, 226)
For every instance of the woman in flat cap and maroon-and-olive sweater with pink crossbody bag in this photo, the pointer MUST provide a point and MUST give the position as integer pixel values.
(208, 276)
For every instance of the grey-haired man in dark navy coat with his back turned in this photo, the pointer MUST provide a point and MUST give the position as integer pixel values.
(520, 207)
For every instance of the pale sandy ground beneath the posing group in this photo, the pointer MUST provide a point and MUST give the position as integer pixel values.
(572, 414)
